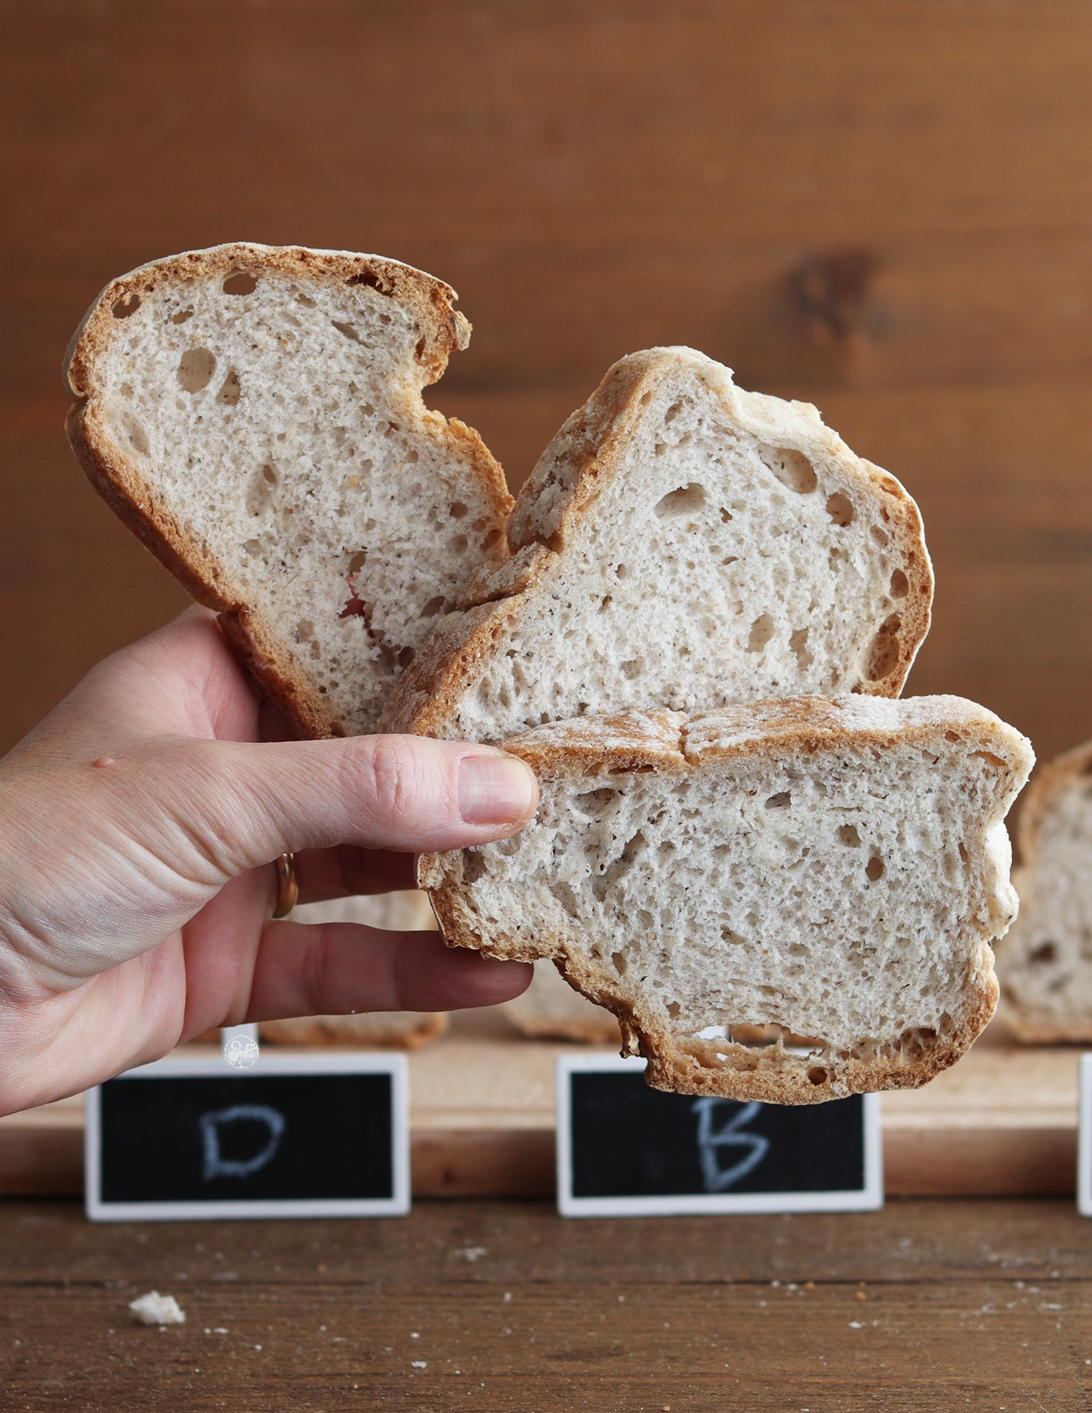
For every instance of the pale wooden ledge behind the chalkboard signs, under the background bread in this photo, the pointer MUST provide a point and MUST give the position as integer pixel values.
(1002, 1123)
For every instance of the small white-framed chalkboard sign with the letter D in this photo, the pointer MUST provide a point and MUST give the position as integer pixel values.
(299, 1135)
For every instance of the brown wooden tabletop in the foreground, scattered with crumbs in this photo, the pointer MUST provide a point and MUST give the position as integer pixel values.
(925, 1308)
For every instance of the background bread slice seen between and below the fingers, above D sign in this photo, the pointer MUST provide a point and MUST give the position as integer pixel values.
(405, 911)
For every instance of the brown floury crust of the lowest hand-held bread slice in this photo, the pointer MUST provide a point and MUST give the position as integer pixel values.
(669, 743)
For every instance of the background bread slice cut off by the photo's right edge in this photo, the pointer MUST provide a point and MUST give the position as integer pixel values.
(1045, 964)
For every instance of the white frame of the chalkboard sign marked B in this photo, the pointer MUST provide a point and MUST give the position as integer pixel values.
(867, 1199)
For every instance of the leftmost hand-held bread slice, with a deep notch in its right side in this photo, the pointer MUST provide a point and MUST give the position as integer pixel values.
(255, 416)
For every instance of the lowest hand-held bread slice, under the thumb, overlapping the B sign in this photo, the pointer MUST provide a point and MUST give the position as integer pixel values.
(836, 870)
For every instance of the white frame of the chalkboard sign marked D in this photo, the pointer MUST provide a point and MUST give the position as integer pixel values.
(180, 1068)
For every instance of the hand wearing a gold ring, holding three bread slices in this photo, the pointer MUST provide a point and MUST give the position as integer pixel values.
(138, 827)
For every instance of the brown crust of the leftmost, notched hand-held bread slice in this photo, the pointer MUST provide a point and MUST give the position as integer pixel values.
(141, 507)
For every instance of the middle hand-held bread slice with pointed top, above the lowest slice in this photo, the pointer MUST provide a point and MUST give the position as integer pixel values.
(682, 545)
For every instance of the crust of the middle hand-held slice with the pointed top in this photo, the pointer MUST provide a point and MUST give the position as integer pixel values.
(583, 460)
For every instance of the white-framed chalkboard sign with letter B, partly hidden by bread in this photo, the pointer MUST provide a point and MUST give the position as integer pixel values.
(628, 1151)
